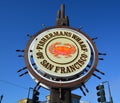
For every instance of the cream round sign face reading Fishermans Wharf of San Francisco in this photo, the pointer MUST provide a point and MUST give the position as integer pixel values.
(61, 52)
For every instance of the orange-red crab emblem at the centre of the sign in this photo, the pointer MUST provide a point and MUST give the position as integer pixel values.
(62, 49)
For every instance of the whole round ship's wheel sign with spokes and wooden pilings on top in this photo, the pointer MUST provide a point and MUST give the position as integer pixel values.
(61, 56)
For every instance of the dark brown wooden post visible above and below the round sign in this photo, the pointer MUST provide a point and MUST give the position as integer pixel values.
(61, 95)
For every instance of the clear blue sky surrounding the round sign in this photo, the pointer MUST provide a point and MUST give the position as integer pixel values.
(99, 18)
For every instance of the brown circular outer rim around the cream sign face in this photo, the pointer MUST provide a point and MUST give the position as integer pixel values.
(51, 84)
